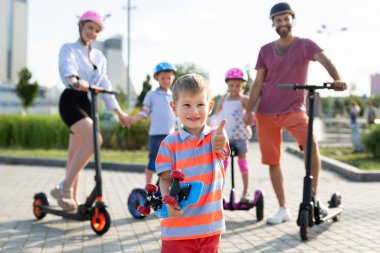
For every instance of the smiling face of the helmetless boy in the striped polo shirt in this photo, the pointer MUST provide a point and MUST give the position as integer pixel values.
(193, 111)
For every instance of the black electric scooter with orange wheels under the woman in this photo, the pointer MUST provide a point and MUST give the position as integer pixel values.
(94, 209)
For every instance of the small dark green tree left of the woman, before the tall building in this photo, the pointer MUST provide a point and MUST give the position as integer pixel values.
(25, 90)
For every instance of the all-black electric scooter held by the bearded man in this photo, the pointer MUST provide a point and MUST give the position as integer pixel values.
(309, 211)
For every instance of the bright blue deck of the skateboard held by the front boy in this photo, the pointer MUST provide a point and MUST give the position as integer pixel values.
(193, 198)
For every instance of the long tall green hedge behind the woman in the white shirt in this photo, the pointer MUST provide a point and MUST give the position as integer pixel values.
(49, 132)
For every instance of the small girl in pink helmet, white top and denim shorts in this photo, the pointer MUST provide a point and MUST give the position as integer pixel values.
(231, 107)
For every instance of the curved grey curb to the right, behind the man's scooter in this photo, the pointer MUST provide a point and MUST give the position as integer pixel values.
(345, 170)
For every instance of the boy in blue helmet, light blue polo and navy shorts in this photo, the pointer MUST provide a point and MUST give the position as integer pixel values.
(157, 104)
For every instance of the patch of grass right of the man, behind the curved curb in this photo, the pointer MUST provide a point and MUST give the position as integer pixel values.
(362, 161)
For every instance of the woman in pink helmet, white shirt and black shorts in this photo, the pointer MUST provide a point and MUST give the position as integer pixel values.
(79, 66)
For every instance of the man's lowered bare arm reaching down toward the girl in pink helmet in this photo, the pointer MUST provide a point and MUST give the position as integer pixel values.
(254, 94)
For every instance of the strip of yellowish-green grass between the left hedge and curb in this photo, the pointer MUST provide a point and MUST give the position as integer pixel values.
(128, 156)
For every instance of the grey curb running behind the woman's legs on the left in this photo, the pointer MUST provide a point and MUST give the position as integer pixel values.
(135, 167)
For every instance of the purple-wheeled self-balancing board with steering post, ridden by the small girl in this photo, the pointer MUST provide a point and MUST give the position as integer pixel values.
(232, 205)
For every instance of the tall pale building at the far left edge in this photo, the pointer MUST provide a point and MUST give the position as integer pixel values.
(13, 46)
